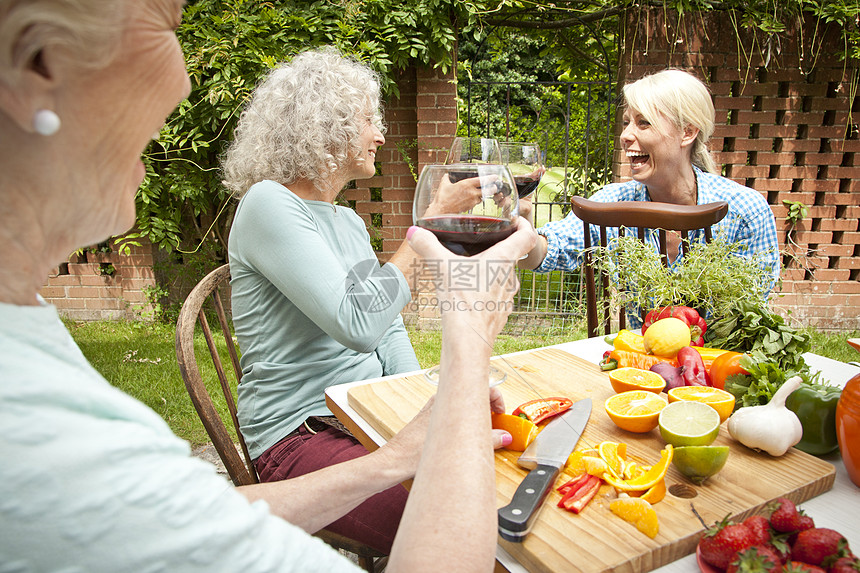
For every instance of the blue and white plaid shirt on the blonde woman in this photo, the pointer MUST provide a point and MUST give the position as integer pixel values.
(749, 221)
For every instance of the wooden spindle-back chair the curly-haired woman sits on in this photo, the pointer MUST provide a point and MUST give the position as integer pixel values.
(241, 471)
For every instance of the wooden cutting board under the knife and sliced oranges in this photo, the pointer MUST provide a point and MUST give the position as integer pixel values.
(596, 540)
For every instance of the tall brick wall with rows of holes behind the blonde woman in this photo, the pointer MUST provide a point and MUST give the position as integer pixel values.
(783, 129)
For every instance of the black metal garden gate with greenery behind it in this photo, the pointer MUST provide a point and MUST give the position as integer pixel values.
(573, 126)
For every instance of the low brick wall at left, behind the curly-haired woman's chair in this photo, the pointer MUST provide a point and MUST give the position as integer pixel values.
(102, 285)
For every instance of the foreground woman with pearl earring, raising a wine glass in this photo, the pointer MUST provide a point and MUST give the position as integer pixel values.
(93, 480)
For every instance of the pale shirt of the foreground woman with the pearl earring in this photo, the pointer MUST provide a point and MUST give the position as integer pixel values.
(92, 480)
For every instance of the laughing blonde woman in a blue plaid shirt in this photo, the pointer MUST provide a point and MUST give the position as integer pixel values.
(668, 119)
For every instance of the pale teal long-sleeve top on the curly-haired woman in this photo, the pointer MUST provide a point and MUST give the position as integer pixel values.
(312, 308)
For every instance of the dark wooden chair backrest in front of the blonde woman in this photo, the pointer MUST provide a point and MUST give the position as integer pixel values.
(641, 215)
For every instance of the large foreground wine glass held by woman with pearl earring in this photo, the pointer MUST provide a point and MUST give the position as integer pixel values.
(469, 207)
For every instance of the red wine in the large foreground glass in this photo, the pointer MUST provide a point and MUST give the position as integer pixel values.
(467, 234)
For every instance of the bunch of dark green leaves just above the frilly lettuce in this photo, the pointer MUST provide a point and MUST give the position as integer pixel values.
(753, 328)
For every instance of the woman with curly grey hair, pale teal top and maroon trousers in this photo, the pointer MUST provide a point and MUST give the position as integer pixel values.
(312, 307)
